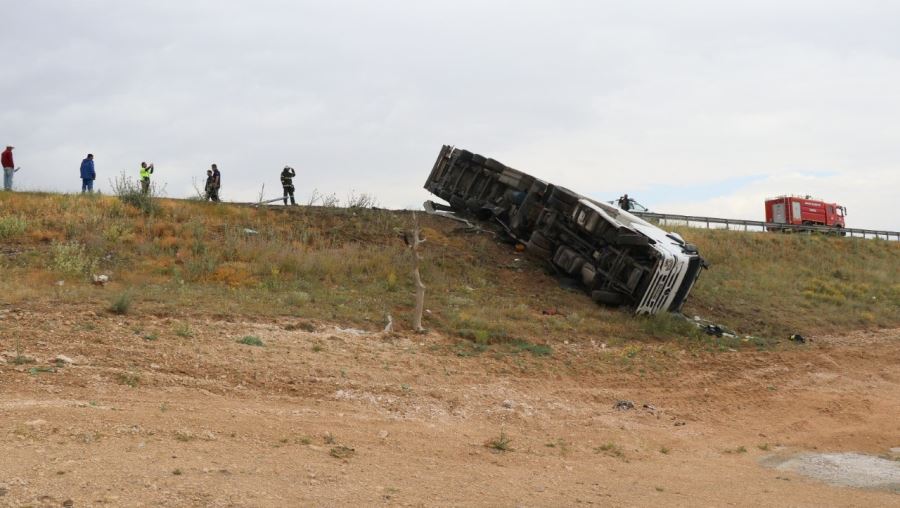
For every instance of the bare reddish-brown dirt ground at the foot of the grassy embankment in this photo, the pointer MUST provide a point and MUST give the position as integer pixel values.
(162, 411)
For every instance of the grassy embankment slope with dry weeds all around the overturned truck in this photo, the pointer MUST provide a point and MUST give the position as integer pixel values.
(350, 266)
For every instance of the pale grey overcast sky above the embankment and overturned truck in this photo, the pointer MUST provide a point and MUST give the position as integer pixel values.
(700, 107)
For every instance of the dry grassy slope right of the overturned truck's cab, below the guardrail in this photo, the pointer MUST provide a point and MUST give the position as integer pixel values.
(777, 284)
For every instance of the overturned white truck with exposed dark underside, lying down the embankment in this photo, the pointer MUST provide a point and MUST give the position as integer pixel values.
(618, 257)
